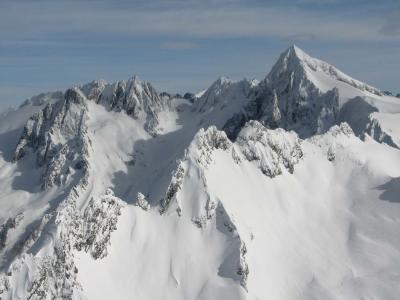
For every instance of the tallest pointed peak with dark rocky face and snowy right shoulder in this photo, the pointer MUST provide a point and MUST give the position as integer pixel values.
(293, 97)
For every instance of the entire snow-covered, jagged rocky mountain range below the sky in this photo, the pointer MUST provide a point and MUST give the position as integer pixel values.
(284, 188)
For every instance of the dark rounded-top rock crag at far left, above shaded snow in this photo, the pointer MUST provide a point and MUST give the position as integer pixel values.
(58, 136)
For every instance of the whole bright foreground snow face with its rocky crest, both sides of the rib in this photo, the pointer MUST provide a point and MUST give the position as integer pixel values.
(316, 239)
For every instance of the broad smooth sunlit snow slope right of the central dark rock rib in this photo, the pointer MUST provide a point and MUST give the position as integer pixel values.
(313, 232)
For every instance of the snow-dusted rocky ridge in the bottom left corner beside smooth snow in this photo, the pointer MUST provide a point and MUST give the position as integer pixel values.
(54, 276)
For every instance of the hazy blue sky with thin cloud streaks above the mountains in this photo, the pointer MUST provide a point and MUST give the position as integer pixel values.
(184, 45)
